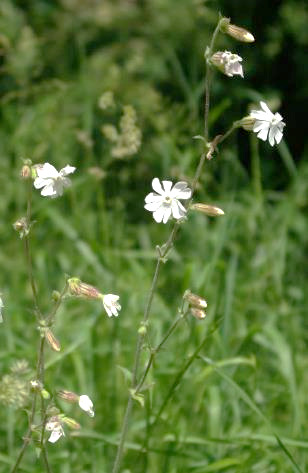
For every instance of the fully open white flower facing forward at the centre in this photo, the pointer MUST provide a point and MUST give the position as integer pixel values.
(165, 201)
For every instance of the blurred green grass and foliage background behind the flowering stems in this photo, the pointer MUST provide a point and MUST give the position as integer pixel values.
(115, 88)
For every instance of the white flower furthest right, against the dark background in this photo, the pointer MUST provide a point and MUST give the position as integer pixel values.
(267, 125)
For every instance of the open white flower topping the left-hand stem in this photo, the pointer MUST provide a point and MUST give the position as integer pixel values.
(52, 181)
